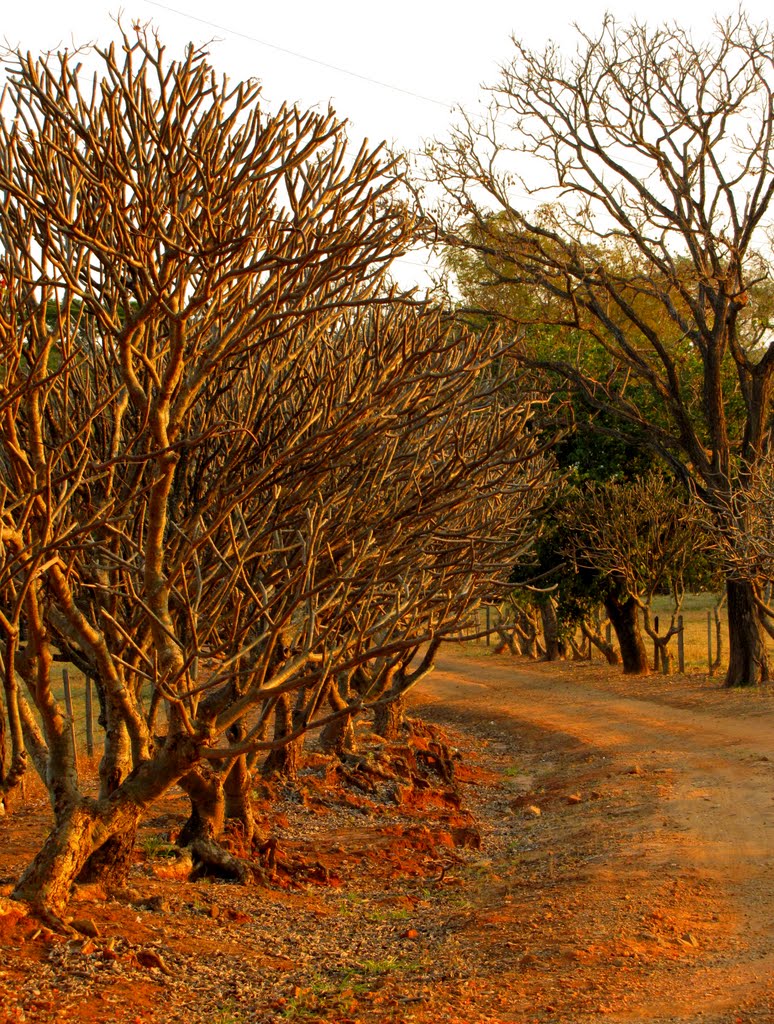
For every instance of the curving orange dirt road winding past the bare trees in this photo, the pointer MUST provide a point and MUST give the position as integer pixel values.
(671, 918)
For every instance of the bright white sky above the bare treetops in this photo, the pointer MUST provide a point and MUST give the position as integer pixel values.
(439, 50)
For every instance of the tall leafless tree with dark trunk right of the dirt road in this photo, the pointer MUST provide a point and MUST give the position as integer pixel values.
(651, 259)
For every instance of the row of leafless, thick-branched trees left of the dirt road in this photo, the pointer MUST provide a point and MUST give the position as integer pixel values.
(242, 482)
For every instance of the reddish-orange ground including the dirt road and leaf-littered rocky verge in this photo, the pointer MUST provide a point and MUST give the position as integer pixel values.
(560, 844)
